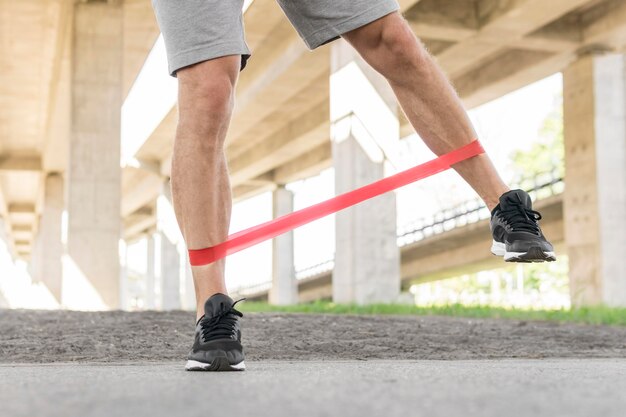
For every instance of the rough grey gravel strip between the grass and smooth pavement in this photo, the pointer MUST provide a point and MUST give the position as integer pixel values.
(69, 336)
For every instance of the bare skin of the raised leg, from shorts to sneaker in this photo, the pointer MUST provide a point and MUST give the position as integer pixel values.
(426, 96)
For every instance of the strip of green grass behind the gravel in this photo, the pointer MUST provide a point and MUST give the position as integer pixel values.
(587, 315)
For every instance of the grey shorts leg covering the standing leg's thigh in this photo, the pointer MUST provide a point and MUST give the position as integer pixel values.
(199, 30)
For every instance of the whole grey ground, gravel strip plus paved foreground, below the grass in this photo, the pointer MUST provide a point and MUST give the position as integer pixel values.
(63, 363)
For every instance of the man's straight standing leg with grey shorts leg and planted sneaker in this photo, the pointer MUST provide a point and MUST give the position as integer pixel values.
(206, 48)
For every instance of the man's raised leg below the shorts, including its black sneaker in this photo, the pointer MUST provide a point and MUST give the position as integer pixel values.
(437, 114)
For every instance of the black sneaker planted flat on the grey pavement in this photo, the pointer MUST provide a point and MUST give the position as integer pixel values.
(217, 345)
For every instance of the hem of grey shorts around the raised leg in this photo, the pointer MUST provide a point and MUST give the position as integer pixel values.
(329, 34)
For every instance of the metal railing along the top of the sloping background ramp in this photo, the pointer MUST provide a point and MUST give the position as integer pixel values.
(539, 187)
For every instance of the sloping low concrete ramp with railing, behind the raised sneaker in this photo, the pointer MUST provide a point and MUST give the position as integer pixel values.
(445, 248)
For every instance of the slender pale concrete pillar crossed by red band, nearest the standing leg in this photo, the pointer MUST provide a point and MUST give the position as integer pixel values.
(284, 289)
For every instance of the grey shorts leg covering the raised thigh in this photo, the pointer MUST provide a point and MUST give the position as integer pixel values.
(321, 21)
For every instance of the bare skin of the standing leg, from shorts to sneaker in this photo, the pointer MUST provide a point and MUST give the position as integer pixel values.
(200, 184)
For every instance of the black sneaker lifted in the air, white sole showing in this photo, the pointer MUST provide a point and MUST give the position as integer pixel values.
(516, 232)
